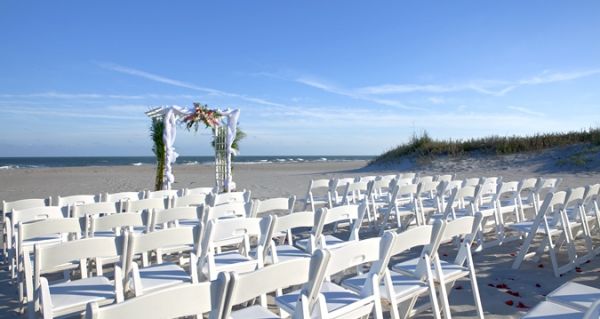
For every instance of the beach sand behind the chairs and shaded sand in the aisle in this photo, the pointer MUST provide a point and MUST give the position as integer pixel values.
(285, 179)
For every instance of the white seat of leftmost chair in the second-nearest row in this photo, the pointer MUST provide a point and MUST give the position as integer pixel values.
(71, 296)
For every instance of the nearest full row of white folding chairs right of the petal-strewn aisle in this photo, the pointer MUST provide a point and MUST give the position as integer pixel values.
(563, 214)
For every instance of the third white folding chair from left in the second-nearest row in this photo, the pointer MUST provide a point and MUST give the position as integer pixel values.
(236, 232)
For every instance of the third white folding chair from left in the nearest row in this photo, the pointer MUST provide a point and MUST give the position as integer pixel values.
(332, 300)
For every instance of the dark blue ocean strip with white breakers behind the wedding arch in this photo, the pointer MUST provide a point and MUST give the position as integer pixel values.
(33, 162)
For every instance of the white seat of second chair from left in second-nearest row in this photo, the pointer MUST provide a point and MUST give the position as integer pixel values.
(162, 275)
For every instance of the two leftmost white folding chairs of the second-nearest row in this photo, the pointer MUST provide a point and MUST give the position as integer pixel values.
(70, 297)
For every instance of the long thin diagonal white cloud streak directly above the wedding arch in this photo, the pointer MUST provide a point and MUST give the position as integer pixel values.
(186, 85)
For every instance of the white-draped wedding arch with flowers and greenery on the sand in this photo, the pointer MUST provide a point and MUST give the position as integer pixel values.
(223, 124)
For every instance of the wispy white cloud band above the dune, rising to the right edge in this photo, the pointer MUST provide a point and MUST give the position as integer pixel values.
(488, 87)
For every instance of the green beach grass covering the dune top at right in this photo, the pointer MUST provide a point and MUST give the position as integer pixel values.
(424, 147)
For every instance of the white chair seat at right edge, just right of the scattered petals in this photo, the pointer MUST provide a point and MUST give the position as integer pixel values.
(572, 294)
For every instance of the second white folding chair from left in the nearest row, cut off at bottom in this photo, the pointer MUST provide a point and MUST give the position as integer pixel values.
(247, 286)
